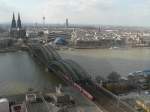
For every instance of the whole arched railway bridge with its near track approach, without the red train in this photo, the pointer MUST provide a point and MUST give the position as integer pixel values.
(76, 74)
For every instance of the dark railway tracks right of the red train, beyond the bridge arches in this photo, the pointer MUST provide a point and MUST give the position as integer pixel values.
(106, 101)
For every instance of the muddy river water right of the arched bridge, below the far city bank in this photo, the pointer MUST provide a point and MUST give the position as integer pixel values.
(104, 61)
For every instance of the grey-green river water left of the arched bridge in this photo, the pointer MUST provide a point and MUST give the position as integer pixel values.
(18, 72)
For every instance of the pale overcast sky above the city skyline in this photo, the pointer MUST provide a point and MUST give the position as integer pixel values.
(110, 12)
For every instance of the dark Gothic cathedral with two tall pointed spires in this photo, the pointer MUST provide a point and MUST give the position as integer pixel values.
(16, 30)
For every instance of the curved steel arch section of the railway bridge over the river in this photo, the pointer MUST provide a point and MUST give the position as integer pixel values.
(48, 56)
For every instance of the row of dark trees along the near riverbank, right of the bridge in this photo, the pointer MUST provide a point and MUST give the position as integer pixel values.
(116, 85)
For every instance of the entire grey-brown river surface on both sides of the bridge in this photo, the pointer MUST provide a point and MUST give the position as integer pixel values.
(19, 71)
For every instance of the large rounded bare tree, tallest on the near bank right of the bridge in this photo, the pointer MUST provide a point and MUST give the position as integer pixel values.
(114, 77)
